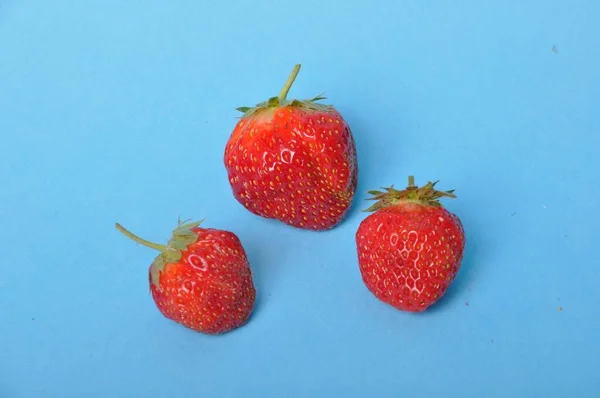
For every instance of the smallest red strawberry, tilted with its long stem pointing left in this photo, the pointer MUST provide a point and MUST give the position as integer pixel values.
(201, 278)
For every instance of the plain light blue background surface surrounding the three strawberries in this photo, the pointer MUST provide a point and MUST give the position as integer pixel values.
(120, 110)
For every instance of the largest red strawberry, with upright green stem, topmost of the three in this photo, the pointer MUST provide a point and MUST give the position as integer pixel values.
(294, 161)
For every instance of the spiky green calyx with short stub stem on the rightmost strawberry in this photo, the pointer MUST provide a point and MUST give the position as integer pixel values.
(425, 195)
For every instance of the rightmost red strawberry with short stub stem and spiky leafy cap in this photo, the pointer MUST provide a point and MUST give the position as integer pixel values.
(410, 249)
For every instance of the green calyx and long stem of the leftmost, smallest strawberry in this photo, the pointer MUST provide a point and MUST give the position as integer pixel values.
(181, 237)
